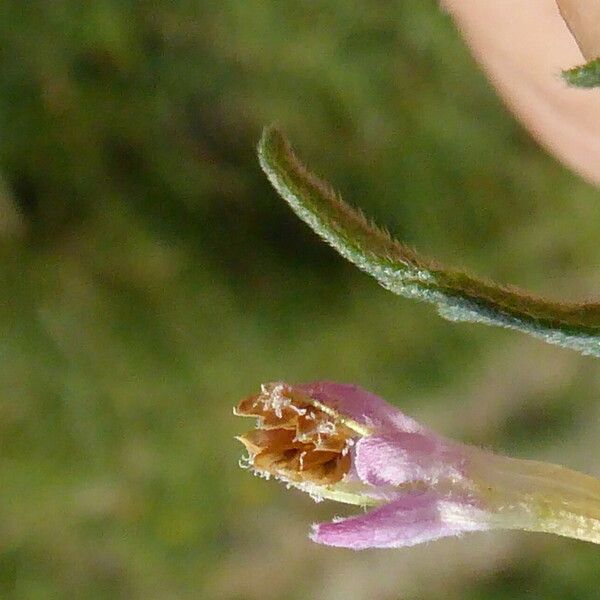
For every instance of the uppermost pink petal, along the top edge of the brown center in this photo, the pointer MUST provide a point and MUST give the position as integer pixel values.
(361, 405)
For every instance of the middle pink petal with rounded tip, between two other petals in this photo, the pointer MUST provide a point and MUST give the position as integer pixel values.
(403, 457)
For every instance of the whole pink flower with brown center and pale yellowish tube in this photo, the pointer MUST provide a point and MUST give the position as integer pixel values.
(340, 442)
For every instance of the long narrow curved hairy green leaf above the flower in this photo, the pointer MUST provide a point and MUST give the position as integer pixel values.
(457, 295)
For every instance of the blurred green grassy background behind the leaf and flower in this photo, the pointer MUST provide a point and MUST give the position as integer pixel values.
(150, 278)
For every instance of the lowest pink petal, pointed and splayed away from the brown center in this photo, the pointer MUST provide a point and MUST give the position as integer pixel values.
(415, 518)
